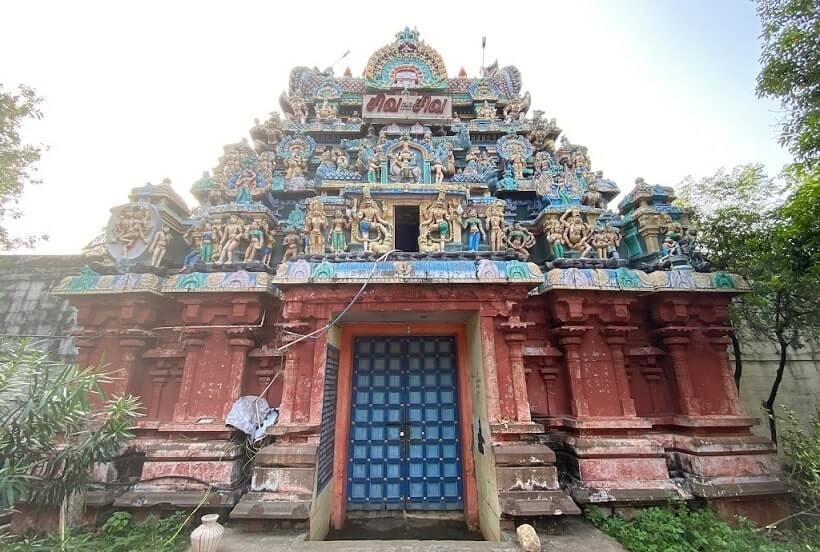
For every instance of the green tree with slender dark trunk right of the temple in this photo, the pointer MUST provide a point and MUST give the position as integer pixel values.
(746, 227)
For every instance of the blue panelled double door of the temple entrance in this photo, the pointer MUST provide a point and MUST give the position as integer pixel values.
(404, 452)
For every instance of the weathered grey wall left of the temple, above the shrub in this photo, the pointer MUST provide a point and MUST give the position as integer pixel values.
(26, 307)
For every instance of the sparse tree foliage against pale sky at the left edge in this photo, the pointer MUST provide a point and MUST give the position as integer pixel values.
(17, 159)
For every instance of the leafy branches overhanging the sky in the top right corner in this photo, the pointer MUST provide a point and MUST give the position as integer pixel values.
(791, 70)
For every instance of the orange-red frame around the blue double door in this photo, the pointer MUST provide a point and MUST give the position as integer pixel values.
(344, 400)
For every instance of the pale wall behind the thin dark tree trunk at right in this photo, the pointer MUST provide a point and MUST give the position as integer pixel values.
(799, 390)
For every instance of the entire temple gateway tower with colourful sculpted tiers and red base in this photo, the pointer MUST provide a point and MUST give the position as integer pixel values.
(406, 292)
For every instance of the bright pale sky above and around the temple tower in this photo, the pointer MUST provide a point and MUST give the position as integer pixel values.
(138, 91)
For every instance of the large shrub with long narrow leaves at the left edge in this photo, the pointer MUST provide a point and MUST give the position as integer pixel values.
(55, 424)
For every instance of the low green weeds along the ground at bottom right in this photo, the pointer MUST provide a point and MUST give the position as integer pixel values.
(681, 530)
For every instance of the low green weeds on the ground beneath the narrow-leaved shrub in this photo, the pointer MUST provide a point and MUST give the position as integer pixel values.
(119, 534)
